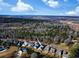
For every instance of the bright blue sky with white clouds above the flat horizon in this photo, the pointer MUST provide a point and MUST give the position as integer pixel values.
(39, 7)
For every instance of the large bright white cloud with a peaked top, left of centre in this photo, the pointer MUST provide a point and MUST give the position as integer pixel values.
(21, 7)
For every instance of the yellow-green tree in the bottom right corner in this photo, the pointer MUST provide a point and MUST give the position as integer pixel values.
(74, 51)
